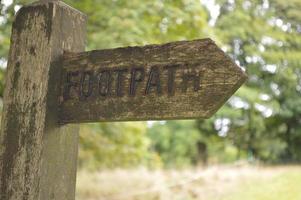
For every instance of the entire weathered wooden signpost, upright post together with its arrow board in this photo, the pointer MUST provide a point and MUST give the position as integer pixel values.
(47, 88)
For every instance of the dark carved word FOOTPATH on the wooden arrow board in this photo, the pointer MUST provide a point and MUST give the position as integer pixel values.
(117, 82)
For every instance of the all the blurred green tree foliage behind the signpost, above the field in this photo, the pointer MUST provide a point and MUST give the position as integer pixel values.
(262, 121)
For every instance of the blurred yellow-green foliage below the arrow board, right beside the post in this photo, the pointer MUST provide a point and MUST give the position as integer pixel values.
(111, 145)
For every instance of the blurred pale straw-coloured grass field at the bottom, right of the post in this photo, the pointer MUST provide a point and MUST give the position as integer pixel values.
(214, 183)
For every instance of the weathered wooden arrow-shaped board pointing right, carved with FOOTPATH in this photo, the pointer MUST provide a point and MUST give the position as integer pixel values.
(179, 80)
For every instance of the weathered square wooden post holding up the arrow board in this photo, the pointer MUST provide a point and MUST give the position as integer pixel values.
(37, 157)
